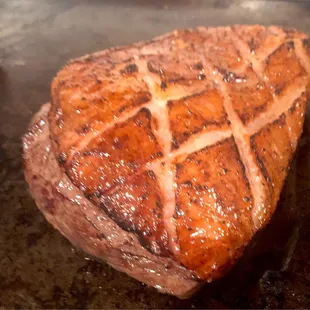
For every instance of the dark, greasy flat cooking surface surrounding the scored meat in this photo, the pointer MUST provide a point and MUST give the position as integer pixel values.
(38, 267)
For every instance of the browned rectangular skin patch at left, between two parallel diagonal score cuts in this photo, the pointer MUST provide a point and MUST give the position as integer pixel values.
(115, 154)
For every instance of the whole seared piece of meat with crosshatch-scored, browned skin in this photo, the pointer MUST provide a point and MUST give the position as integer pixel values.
(164, 158)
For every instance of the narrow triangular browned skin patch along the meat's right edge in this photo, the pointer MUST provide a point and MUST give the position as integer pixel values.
(274, 146)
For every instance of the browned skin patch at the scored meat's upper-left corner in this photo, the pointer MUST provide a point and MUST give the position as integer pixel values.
(97, 96)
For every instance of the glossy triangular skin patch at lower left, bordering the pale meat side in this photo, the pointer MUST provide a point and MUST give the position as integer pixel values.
(138, 206)
